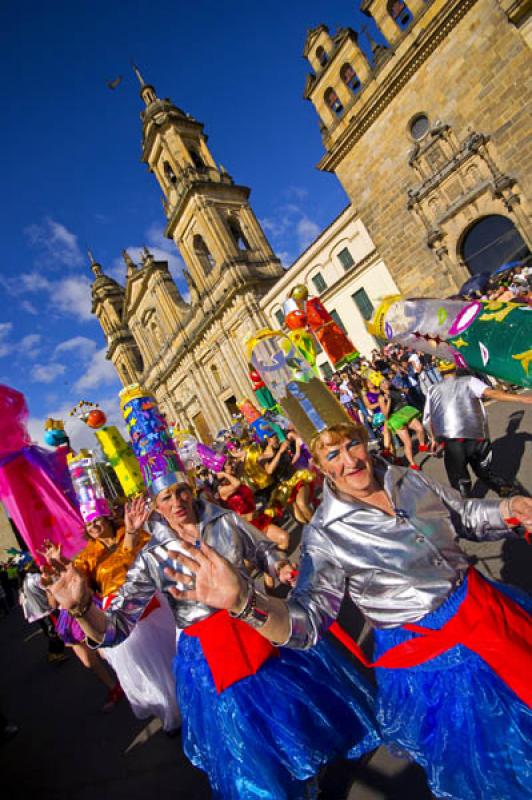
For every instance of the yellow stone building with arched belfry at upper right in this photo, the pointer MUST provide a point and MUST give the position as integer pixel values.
(431, 138)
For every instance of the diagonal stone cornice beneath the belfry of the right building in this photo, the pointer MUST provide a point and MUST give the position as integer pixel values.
(426, 42)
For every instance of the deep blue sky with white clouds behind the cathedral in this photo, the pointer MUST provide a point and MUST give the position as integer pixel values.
(73, 178)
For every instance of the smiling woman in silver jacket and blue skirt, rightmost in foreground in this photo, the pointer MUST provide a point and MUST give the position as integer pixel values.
(452, 650)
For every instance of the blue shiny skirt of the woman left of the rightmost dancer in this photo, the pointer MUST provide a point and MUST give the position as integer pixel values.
(267, 734)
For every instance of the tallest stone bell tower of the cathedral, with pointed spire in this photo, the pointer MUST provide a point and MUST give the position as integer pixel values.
(208, 216)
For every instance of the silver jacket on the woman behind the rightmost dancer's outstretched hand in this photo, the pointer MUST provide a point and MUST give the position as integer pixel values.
(225, 531)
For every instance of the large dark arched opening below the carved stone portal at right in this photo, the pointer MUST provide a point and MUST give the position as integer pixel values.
(490, 243)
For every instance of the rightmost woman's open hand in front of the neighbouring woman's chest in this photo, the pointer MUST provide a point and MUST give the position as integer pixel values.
(217, 583)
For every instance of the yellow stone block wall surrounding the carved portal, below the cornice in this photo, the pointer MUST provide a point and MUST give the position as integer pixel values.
(477, 79)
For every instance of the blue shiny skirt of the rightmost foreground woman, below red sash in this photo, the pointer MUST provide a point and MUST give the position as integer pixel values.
(456, 717)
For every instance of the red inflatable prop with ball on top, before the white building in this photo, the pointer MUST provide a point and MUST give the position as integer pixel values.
(339, 348)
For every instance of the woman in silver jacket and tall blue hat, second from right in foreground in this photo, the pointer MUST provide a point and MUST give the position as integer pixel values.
(261, 722)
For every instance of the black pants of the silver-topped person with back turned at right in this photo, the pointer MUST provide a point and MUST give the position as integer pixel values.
(459, 453)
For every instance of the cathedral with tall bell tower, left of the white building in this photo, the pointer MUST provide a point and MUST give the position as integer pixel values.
(189, 353)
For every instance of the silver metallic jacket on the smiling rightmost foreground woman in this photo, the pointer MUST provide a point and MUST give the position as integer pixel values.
(396, 569)
